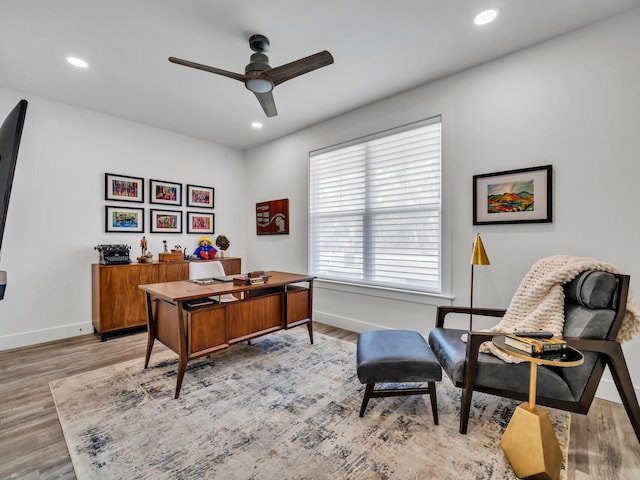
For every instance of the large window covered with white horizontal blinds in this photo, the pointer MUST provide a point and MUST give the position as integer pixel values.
(374, 209)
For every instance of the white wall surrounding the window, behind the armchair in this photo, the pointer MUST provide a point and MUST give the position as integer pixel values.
(571, 102)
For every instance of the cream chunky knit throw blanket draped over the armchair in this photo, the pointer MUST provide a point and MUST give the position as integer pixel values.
(538, 304)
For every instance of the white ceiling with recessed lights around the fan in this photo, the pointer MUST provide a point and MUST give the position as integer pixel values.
(381, 47)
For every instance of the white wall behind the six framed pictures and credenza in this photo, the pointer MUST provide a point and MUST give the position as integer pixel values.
(56, 213)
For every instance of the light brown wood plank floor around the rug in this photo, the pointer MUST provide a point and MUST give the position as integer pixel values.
(603, 444)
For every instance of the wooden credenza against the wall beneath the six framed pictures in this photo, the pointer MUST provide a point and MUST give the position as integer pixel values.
(118, 303)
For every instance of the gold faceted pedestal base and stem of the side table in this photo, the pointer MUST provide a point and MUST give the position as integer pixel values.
(529, 441)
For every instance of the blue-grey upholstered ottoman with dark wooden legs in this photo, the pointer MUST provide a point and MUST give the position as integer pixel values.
(397, 356)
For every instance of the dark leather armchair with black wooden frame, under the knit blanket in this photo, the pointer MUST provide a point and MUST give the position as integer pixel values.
(595, 306)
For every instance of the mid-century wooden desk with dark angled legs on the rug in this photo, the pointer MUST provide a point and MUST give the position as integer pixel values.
(281, 303)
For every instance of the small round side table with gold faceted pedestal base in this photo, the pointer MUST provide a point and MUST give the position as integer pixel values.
(529, 441)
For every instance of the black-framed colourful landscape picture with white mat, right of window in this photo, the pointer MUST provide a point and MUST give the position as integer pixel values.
(513, 196)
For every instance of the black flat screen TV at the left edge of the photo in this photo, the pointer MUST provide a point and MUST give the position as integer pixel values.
(10, 134)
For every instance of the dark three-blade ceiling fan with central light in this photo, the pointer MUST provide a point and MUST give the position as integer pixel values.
(259, 77)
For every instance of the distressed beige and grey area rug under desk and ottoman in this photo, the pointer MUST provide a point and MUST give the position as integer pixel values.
(279, 408)
